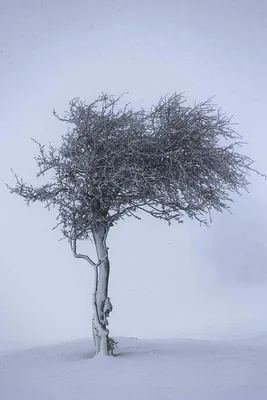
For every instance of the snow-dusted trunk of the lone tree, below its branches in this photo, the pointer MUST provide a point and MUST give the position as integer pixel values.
(101, 302)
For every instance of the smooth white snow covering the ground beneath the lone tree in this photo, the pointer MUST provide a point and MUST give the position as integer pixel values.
(155, 369)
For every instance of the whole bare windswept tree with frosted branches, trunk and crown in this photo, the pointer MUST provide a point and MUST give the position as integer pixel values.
(171, 161)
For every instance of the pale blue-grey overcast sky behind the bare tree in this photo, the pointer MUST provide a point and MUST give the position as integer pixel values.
(165, 281)
